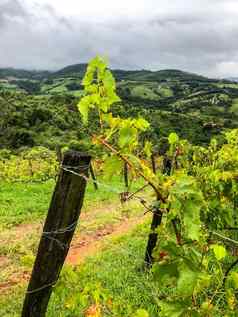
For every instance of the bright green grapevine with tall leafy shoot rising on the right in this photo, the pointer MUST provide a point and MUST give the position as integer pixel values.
(195, 203)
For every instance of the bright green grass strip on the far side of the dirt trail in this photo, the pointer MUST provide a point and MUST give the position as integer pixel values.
(25, 203)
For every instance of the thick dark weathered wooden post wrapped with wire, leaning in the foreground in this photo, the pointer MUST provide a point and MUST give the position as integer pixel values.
(57, 233)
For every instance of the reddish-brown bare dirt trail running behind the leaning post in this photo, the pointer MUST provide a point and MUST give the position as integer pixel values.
(84, 244)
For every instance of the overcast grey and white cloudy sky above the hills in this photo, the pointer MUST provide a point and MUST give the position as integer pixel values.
(195, 35)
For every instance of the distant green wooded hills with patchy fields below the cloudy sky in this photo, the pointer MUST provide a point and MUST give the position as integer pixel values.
(39, 108)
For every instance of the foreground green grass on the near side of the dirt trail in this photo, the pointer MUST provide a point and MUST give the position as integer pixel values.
(114, 280)
